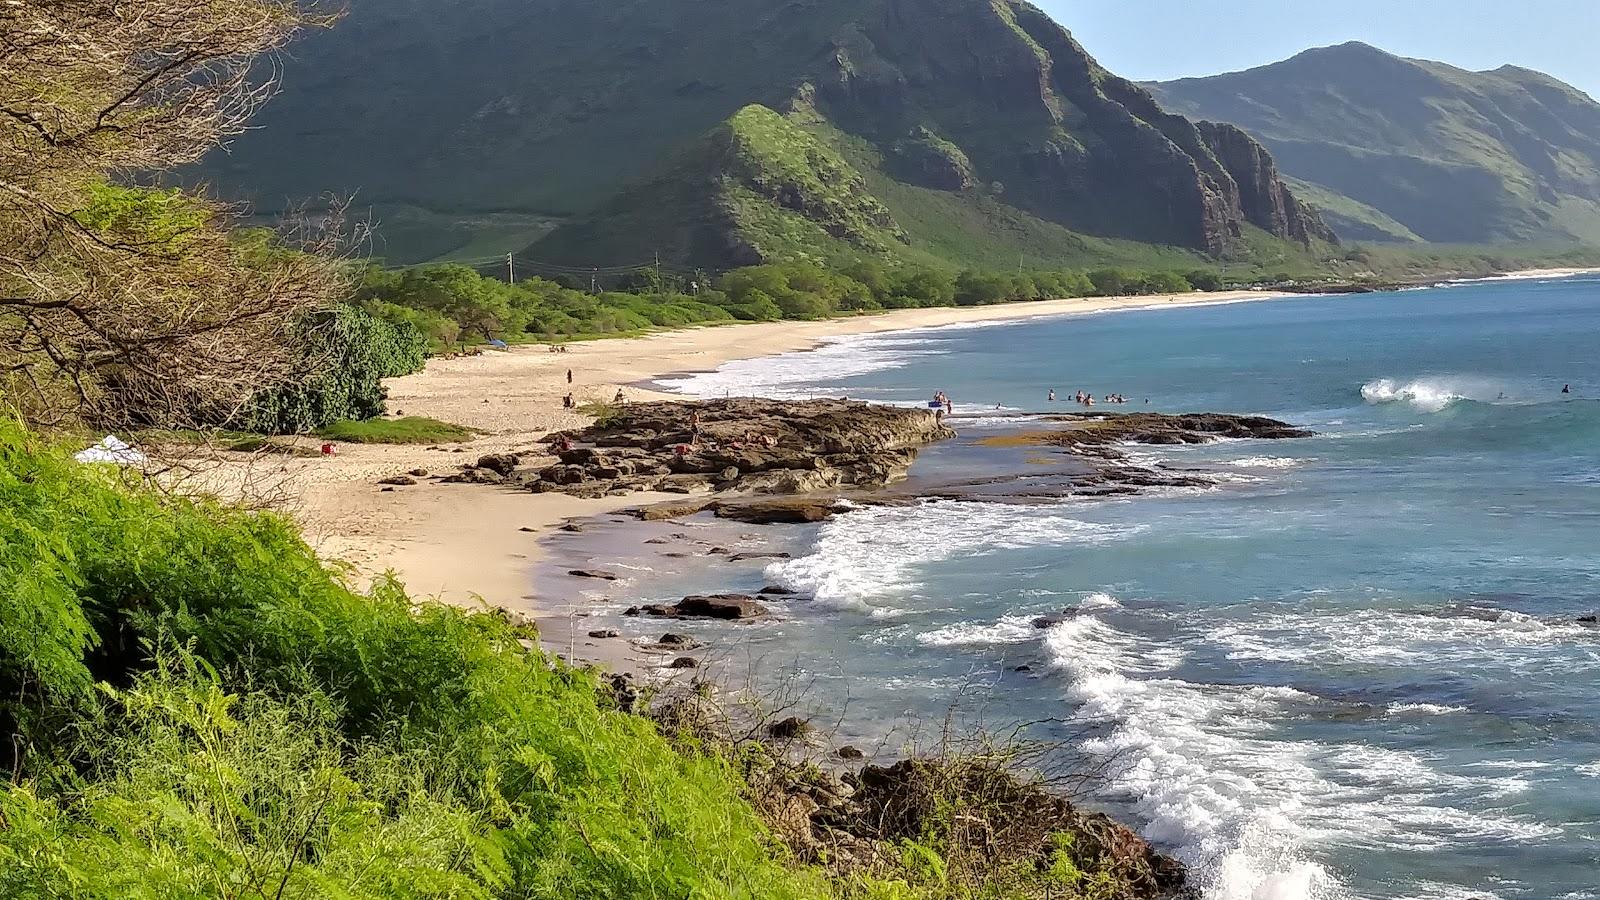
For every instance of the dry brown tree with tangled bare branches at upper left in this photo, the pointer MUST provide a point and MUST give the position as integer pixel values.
(124, 307)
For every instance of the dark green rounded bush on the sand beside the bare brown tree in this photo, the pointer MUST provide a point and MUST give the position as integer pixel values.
(346, 353)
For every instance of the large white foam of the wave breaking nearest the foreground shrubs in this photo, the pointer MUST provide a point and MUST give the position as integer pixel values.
(1246, 808)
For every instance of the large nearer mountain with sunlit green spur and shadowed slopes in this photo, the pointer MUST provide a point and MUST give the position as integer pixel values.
(962, 131)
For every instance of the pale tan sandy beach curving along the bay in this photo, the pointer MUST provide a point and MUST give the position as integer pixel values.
(463, 544)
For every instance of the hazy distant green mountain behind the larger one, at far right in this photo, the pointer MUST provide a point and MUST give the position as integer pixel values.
(1407, 150)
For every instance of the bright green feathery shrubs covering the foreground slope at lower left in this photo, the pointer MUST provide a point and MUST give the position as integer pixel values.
(353, 745)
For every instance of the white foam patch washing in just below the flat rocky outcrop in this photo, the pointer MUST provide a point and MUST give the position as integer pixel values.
(873, 555)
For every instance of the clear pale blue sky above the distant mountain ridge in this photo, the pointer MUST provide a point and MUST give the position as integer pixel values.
(1175, 39)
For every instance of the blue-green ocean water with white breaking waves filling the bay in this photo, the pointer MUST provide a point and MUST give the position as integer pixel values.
(1353, 669)
